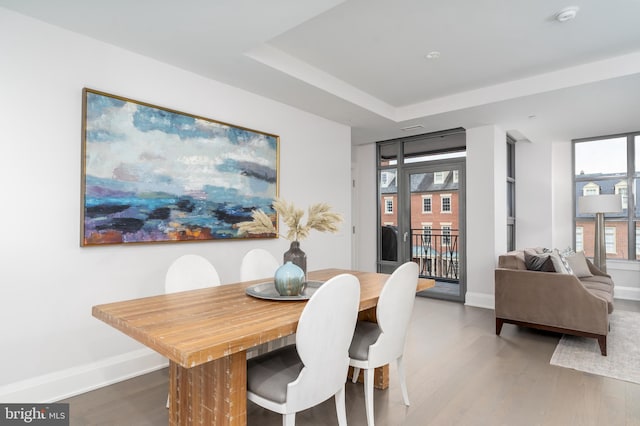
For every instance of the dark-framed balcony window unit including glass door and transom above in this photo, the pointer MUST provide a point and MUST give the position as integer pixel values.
(421, 208)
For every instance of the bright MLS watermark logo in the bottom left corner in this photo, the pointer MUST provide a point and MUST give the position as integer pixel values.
(34, 414)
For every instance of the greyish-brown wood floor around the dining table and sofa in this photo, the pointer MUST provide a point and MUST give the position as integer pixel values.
(458, 373)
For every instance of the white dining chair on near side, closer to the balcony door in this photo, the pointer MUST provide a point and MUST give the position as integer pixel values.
(378, 344)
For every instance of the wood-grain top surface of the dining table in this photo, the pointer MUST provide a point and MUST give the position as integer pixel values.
(198, 326)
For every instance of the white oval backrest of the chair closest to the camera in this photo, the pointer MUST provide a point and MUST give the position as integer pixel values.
(323, 336)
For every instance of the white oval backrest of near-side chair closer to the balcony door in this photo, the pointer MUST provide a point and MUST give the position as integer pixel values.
(394, 312)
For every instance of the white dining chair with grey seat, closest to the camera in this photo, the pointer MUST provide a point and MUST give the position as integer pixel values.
(303, 375)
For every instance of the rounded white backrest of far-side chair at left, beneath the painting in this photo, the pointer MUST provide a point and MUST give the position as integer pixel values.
(190, 272)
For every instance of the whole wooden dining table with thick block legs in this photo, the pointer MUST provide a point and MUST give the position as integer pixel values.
(206, 333)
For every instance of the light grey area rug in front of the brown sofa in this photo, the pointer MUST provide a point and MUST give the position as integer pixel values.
(623, 350)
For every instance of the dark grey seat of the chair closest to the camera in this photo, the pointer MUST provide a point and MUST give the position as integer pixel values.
(268, 375)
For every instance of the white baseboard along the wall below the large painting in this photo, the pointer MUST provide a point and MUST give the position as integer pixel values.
(73, 381)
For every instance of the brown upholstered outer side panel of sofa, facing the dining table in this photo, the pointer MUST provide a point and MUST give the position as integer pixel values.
(549, 298)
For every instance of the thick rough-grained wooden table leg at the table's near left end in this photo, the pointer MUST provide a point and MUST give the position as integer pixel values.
(214, 393)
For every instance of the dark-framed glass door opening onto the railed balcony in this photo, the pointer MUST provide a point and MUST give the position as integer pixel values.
(431, 225)
